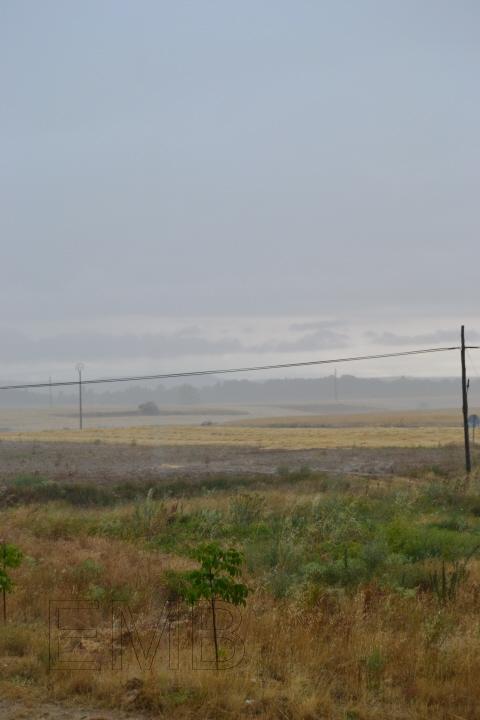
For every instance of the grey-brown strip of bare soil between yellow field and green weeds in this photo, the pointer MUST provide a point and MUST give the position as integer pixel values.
(103, 463)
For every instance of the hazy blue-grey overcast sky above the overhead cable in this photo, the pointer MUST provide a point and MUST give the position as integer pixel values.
(188, 184)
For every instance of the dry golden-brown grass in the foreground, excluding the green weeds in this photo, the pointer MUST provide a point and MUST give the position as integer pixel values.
(368, 653)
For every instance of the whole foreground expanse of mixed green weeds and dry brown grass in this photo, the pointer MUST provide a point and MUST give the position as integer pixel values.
(363, 598)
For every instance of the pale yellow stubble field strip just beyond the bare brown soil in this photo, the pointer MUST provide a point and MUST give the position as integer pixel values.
(293, 432)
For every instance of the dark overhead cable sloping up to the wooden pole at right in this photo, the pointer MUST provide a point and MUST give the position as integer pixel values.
(224, 371)
